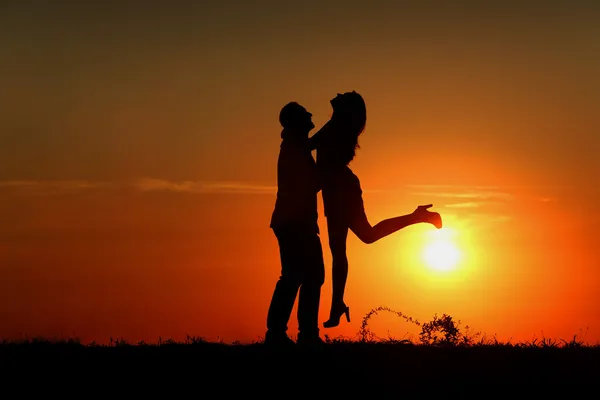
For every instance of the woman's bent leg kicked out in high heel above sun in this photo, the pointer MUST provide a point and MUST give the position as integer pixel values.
(370, 234)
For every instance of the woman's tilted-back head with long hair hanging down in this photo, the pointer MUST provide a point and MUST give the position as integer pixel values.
(350, 117)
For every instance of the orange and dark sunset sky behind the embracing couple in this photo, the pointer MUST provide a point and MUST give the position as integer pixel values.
(139, 142)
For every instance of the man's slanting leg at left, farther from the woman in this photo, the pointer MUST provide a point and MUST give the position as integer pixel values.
(286, 288)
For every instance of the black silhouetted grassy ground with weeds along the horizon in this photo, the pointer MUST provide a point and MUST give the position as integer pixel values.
(445, 359)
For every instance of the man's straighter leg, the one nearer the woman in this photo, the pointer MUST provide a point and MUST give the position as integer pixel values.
(310, 291)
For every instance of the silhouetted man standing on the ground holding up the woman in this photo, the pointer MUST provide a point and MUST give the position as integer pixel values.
(294, 222)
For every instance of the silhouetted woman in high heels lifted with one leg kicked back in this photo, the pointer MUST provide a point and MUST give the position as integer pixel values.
(336, 143)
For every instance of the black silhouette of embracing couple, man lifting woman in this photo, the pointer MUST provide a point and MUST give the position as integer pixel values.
(295, 218)
